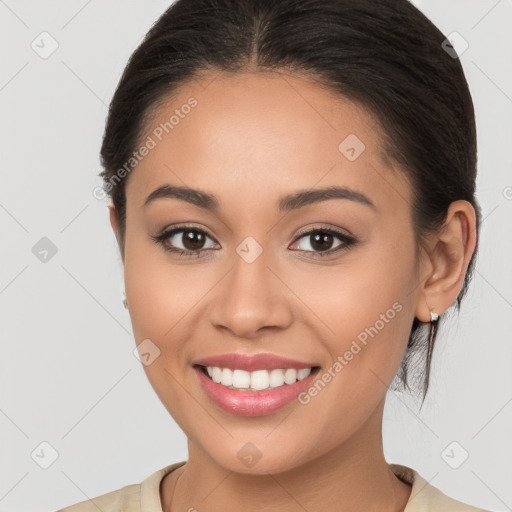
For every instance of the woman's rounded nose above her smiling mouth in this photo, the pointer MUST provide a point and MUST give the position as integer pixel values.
(251, 297)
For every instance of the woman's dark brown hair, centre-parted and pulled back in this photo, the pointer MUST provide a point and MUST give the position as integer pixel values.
(383, 54)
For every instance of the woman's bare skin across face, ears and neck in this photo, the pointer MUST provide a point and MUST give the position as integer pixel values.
(252, 138)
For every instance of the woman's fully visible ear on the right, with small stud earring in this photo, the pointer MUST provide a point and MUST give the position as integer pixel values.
(446, 261)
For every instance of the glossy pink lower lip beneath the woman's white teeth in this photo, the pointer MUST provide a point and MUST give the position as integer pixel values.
(253, 403)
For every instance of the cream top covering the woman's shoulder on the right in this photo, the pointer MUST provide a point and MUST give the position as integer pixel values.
(425, 497)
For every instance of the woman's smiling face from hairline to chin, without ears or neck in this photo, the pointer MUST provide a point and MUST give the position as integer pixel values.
(327, 282)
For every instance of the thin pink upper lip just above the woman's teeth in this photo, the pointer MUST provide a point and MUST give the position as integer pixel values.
(252, 363)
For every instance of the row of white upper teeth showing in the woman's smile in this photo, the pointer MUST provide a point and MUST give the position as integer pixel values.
(257, 380)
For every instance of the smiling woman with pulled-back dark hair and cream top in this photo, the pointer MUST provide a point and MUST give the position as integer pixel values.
(293, 194)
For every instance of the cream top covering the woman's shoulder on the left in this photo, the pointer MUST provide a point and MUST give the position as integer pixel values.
(142, 497)
